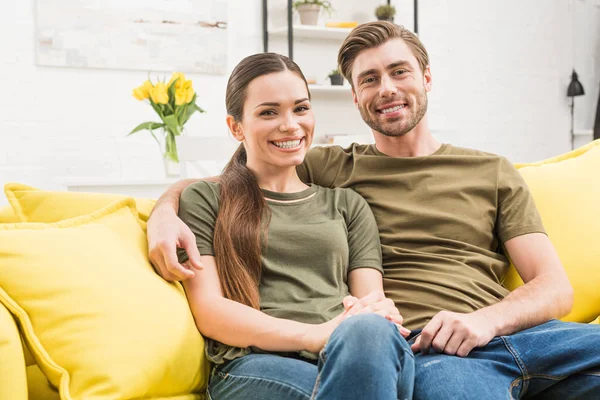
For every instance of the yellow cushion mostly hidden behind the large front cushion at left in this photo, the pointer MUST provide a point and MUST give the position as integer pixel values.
(34, 205)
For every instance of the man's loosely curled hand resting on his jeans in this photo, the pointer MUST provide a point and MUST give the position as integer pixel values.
(454, 333)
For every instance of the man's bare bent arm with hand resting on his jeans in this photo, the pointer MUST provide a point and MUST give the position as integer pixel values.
(547, 294)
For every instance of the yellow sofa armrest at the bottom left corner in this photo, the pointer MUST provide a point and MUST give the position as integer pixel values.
(13, 376)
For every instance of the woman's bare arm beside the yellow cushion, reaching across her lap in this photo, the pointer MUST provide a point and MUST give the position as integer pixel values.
(235, 324)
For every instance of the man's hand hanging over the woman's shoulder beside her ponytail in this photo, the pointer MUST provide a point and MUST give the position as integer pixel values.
(166, 233)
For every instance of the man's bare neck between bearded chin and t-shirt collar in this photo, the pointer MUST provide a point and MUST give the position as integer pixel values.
(417, 143)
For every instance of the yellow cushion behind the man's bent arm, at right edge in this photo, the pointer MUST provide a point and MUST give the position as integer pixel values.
(566, 190)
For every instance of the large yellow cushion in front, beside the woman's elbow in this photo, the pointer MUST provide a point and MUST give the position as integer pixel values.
(99, 321)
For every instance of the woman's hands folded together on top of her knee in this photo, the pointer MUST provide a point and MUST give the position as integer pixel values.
(376, 303)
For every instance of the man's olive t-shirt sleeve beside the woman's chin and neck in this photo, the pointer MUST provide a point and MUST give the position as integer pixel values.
(322, 166)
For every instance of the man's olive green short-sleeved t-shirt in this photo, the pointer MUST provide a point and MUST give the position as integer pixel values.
(442, 221)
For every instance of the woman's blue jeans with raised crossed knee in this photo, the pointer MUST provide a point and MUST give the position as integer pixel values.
(365, 358)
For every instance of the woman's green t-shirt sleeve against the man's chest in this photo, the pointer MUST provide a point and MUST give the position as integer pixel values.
(363, 235)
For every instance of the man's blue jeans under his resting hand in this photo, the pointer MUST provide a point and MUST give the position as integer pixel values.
(555, 360)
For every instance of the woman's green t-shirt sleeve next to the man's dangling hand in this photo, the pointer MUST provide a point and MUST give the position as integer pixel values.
(198, 208)
